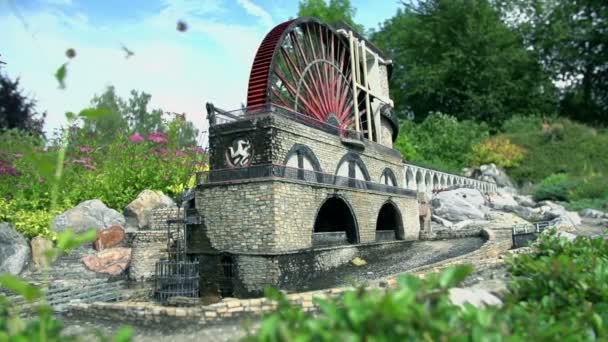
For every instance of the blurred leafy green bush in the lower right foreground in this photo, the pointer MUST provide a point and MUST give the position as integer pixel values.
(559, 292)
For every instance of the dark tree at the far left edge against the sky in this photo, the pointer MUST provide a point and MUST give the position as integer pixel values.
(16, 110)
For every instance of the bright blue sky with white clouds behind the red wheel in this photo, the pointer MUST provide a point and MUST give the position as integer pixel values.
(210, 62)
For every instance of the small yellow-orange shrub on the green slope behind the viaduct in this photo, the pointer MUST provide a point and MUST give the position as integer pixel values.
(498, 150)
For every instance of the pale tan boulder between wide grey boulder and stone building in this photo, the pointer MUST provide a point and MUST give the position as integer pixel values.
(138, 213)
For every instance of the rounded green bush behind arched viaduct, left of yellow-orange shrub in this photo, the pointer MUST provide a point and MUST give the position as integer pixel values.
(440, 141)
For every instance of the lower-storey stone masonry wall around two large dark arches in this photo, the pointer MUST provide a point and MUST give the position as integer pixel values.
(278, 215)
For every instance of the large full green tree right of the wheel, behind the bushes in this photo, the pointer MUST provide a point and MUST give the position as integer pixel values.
(458, 57)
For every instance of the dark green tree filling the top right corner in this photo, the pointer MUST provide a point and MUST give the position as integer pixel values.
(570, 37)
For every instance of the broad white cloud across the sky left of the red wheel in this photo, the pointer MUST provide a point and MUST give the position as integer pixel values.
(182, 71)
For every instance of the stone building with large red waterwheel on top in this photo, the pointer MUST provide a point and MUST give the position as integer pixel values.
(302, 180)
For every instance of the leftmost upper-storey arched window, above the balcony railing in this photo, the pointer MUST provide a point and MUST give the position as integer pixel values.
(302, 163)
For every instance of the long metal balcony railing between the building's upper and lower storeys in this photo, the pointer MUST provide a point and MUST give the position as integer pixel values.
(282, 171)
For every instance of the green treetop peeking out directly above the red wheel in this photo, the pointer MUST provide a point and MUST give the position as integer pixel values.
(334, 12)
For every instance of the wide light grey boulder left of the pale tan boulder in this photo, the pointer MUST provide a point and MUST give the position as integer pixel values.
(92, 214)
